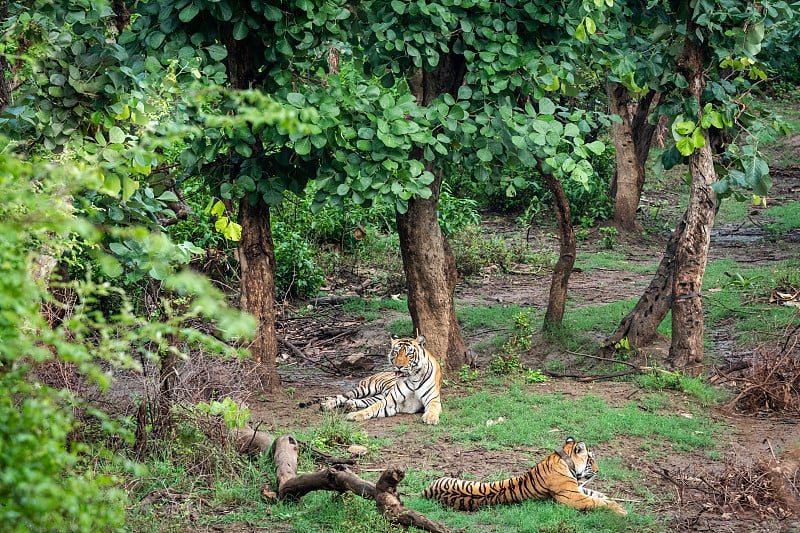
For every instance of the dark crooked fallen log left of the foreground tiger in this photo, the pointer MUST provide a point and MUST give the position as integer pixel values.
(339, 478)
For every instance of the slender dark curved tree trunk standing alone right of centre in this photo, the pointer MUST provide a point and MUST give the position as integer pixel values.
(566, 258)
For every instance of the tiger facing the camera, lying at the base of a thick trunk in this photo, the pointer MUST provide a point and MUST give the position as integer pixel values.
(413, 386)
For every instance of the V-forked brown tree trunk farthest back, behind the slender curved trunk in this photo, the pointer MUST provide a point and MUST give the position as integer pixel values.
(632, 139)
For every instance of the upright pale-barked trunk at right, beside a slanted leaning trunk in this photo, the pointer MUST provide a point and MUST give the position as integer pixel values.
(686, 350)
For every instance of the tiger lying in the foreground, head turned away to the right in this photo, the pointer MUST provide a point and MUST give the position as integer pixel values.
(561, 476)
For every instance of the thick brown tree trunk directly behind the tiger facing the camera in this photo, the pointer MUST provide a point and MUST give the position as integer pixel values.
(428, 260)
